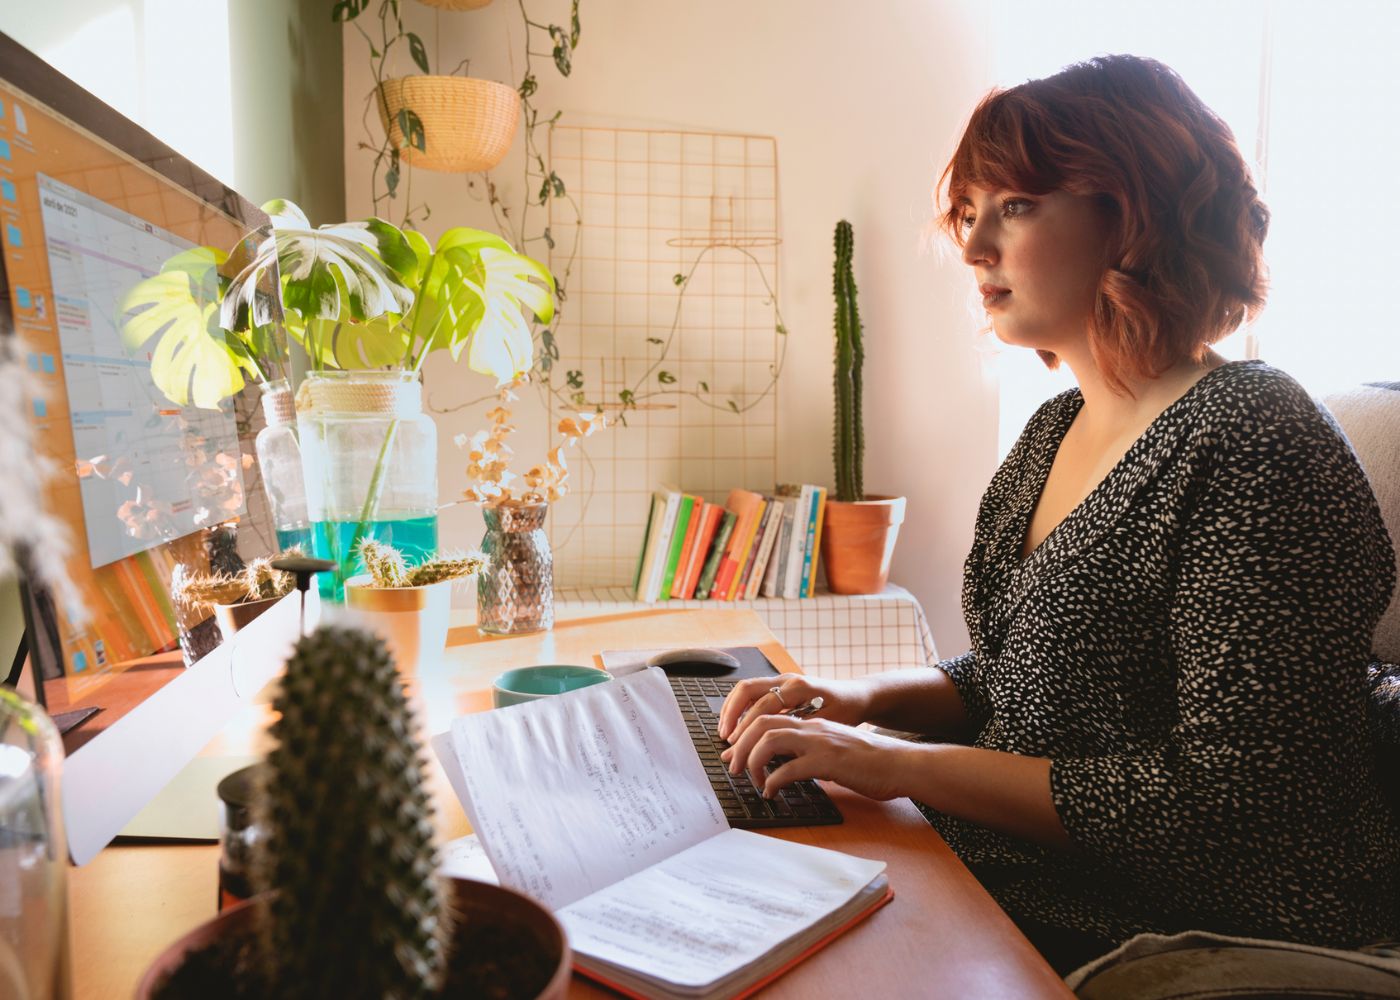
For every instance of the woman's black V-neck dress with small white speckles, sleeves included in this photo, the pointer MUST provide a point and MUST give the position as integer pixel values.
(1189, 648)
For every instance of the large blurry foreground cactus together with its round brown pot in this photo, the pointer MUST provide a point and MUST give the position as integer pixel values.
(352, 903)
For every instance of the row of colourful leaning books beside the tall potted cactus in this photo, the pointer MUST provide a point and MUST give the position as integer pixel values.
(751, 546)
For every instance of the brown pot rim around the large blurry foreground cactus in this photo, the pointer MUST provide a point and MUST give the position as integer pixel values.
(471, 901)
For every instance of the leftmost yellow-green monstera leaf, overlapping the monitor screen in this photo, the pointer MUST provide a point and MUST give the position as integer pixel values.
(195, 361)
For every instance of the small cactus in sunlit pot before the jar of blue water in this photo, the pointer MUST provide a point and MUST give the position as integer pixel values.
(409, 607)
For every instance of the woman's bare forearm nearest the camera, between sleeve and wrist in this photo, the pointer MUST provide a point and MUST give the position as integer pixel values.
(1003, 792)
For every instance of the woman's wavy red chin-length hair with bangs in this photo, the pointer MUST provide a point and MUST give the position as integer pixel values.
(1186, 256)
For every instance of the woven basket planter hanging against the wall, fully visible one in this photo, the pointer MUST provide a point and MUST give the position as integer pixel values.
(468, 124)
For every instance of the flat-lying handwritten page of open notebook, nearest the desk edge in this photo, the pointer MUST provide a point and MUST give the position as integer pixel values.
(716, 908)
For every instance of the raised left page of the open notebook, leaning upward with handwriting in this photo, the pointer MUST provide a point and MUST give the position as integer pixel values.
(573, 793)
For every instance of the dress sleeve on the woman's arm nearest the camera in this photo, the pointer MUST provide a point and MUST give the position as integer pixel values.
(1284, 568)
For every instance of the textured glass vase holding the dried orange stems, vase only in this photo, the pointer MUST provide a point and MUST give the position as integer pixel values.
(516, 589)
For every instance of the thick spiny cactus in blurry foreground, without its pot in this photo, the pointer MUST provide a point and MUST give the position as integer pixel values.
(359, 907)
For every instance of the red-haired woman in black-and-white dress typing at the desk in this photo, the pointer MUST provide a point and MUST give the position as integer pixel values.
(1175, 578)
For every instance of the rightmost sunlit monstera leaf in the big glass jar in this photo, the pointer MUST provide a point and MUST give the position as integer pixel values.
(471, 299)
